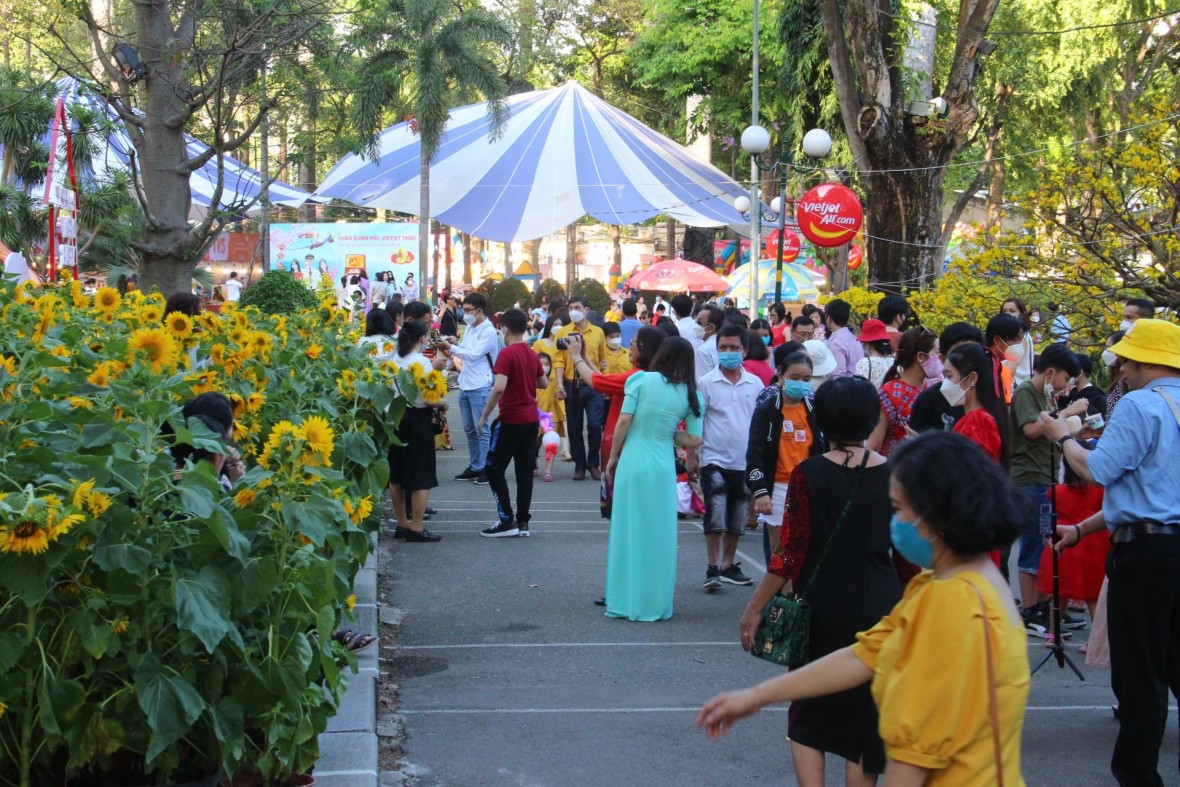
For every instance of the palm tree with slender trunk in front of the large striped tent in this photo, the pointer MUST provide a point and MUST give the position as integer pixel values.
(441, 51)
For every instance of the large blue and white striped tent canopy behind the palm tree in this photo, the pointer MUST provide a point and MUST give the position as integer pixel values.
(563, 155)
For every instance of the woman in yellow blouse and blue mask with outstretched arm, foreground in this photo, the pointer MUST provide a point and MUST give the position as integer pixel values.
(949, 665)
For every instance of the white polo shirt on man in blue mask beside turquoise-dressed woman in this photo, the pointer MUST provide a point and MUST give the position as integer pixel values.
(729, 410)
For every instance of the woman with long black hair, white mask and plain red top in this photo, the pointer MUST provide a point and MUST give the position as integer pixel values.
(968, 383)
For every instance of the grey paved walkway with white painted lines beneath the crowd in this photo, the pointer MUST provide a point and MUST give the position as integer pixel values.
(509, 675)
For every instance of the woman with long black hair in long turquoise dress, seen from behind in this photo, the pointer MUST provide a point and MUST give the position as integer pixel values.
(641, 558)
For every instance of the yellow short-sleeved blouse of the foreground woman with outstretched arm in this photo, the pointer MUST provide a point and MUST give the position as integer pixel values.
(930, 680)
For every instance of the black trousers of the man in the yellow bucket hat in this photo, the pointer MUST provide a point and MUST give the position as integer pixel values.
(1144, 620)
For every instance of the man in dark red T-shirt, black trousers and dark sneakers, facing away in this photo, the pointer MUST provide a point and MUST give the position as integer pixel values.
(514, 437)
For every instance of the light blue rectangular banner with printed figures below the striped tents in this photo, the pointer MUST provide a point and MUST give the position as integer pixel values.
(313, 251)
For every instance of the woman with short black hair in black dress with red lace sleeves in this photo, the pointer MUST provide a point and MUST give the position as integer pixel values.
(853, 588)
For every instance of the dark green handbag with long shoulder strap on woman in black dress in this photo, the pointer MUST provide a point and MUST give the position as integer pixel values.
(784, 634)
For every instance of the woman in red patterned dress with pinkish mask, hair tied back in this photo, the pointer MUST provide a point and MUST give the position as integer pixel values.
(916, 362)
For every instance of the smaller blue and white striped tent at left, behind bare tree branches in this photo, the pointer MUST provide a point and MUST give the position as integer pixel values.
(241, 185)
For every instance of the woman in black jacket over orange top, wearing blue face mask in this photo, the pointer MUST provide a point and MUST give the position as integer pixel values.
(783, 432)
